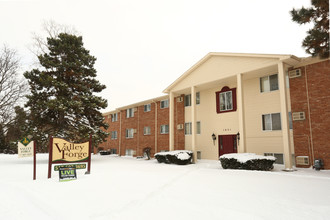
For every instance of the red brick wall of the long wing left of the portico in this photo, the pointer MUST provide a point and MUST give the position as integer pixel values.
(141, 119)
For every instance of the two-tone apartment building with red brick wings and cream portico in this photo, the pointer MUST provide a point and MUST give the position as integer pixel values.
(232, 102)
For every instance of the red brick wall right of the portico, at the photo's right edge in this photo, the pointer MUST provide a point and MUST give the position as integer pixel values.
(310, 93)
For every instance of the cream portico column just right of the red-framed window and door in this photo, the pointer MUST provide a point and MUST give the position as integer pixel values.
(241, 118)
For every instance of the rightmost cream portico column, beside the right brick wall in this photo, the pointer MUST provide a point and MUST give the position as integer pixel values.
(284, 117)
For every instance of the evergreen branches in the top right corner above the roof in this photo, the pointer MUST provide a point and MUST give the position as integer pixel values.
(316, 42)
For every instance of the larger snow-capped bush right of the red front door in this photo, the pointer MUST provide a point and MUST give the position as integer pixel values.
(247, 161)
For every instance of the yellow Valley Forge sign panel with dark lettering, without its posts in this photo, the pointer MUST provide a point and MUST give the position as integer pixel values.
(69, 152)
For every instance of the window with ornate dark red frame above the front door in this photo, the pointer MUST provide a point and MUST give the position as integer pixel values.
(226, 100)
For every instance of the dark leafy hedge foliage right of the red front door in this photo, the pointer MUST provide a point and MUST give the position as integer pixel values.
(265, 163)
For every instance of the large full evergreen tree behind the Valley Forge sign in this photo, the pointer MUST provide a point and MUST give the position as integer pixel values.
(62, 101)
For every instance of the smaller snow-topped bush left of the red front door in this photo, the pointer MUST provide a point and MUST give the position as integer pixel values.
(180, 157)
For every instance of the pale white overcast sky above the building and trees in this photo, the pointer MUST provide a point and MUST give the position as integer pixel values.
(142, 46)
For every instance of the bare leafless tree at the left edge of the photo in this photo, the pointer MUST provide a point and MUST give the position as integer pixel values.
(12, 86)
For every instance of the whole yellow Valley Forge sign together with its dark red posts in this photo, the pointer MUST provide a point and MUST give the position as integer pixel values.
(62, 151)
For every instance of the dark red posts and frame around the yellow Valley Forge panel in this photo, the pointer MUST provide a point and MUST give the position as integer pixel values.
(51, 162)
